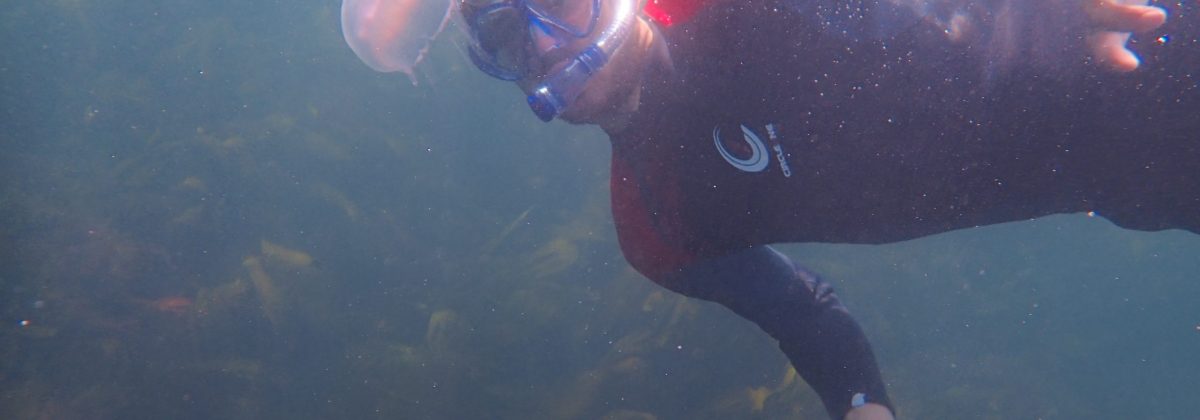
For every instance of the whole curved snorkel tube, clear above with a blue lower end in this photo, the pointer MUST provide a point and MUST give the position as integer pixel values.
(551, 98)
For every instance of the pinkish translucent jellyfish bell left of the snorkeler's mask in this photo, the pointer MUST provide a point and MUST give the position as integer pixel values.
(394, 35)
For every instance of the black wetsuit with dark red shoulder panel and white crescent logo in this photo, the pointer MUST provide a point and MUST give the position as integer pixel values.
(782, 124)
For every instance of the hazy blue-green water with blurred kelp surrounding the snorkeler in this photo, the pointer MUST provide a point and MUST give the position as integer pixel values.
(214, 211)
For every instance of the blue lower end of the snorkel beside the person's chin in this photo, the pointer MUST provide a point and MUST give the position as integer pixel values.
(551, 98)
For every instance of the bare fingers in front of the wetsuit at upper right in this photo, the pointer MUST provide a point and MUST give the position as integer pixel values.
(1115, 22)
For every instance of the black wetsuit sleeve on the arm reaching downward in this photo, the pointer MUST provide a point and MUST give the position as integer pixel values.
(800, 310)
